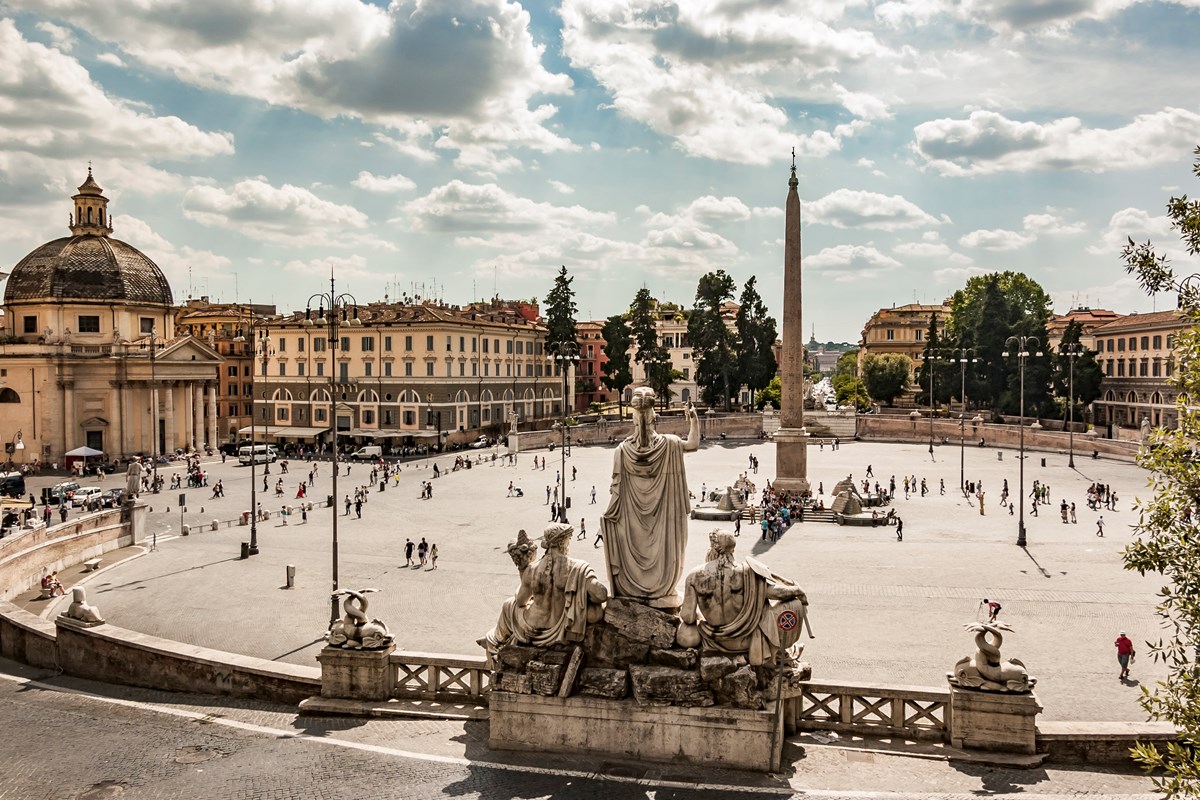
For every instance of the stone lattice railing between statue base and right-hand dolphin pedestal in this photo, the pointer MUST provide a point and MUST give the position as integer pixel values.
(910, 712)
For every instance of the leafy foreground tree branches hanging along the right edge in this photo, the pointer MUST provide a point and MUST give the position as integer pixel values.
(1169, 526)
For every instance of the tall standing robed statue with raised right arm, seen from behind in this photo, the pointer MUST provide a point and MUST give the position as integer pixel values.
(645, 527)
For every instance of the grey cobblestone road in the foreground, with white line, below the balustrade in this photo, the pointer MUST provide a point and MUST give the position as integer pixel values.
(68, 739)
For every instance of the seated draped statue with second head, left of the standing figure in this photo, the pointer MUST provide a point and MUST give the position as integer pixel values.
(557, 599)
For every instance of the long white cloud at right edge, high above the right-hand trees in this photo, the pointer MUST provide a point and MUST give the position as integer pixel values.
(988, 142)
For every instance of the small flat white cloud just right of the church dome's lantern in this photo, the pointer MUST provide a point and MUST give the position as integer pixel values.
(286, 215)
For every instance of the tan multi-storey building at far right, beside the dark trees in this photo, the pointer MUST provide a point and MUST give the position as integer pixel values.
(1137, 356)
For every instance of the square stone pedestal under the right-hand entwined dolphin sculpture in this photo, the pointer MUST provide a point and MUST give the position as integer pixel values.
(994, 721)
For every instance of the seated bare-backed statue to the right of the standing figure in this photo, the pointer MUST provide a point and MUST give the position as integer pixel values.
(734, 609)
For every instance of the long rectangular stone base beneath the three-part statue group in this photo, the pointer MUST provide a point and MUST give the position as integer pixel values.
(713, 737)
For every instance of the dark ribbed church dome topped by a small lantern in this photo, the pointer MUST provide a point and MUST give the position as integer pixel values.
(91, 266)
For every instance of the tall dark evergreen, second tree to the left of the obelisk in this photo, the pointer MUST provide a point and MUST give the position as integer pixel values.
(712, 341)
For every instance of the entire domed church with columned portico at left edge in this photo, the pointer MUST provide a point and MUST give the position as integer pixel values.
(89, 354)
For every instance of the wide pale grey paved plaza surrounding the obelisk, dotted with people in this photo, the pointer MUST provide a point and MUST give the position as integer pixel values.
(884, 612)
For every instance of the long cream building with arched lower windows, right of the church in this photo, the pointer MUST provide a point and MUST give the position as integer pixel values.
(405, 375)
